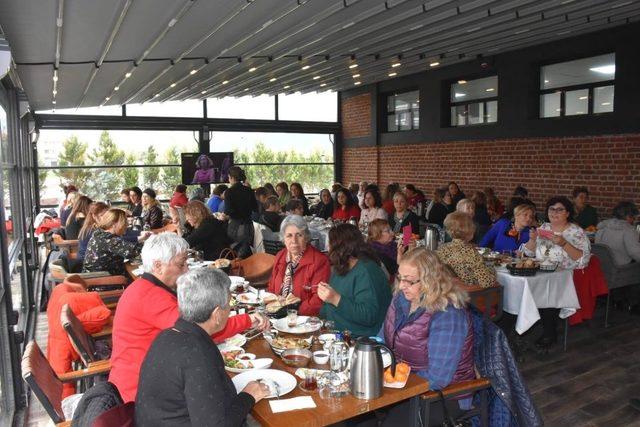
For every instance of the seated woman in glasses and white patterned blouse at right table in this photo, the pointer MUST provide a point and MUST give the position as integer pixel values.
(561, 241)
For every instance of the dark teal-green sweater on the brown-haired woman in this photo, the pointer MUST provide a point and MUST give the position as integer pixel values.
(365, 295)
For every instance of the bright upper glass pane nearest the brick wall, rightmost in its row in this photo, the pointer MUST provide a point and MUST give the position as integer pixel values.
(315, 106)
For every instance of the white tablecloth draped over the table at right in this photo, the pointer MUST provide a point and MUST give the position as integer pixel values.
(523, 296)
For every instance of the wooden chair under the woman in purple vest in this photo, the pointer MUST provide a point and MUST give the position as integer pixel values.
(480, 385)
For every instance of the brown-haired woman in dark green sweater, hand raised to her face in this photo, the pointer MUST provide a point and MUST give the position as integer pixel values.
(359, 294)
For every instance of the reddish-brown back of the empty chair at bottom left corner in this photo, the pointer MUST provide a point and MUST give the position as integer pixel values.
(38, 374)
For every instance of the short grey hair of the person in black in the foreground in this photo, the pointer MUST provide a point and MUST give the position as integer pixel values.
(200, 291)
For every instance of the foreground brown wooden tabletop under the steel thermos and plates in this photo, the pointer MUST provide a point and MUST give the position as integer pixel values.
(325, 413)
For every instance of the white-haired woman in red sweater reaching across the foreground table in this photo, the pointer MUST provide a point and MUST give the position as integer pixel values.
(149, 305)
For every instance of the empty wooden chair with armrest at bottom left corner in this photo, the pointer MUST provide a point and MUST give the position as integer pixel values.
(47, 386)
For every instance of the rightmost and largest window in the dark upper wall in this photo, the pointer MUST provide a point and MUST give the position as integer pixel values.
(574, 88)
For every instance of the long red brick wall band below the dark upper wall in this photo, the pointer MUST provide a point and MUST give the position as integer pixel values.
(608, 165)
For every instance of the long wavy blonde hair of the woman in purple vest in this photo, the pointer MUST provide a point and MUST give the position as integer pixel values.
(438, 284)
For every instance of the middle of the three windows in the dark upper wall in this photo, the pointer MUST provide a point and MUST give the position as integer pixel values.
(474, 102)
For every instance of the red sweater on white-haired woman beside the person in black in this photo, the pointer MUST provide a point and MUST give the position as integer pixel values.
(144, 310)
